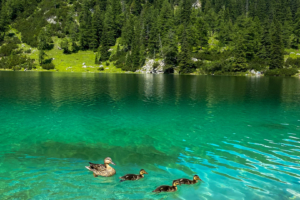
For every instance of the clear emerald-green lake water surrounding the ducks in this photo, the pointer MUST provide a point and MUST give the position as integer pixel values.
(241, 135)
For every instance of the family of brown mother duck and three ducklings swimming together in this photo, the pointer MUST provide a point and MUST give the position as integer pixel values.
(106, 170)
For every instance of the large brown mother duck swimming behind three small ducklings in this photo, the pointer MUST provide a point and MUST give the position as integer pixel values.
(102, 169)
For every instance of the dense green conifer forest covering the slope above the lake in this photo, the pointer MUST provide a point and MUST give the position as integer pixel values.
(213, 36)
